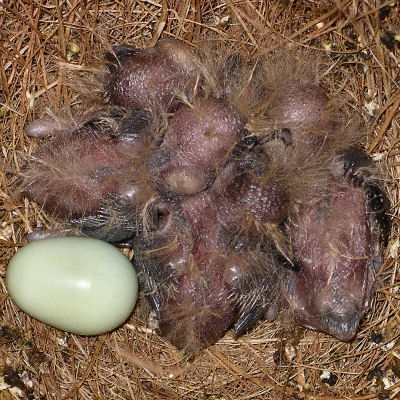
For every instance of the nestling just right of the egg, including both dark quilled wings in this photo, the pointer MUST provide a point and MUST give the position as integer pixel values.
(199, 283)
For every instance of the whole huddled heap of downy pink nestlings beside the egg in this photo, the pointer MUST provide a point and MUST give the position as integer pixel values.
(239, 185)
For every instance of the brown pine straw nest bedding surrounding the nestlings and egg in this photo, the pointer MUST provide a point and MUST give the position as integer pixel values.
(275, 360)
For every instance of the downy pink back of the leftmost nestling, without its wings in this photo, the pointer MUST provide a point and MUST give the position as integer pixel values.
(83, 171)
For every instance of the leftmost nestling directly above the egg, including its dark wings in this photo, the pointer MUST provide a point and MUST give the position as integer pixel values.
(92, 175)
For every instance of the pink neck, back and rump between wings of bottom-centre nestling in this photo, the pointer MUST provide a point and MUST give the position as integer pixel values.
(200, 312)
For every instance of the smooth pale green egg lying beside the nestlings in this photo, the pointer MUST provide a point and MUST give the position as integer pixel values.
(79, 285)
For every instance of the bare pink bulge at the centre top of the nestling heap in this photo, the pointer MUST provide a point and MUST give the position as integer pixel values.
(197, 140)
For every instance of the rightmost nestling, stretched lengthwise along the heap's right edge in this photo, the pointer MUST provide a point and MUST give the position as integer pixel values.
(337, 228)
